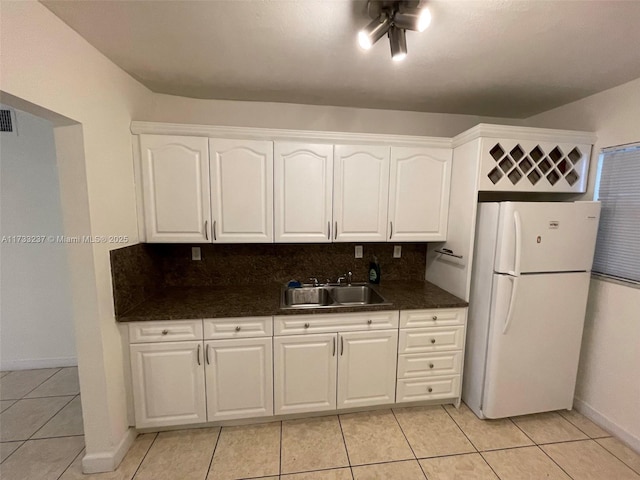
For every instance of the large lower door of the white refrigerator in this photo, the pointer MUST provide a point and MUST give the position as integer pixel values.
(532, 360)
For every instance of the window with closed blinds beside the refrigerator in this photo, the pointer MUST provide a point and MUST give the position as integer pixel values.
(618, 189)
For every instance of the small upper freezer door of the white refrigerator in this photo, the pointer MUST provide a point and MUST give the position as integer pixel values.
(546, 236)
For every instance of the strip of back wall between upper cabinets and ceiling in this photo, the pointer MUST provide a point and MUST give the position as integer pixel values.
(172, 109)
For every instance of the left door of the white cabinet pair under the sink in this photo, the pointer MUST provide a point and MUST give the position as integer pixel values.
(305, 373)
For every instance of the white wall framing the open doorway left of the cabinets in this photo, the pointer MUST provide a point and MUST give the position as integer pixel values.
(48, 68)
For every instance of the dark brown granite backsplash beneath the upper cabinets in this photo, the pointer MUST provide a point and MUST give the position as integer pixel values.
(140, 271)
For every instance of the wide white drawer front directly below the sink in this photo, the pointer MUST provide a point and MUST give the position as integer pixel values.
(300, 324)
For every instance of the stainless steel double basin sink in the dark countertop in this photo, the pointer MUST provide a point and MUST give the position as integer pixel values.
(328, 296)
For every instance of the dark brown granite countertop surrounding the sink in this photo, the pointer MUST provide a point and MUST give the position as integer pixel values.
(179, 303)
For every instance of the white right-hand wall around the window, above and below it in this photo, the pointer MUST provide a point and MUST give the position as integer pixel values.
(608, 386)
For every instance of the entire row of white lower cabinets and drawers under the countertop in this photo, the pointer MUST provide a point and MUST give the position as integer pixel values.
(197, 371)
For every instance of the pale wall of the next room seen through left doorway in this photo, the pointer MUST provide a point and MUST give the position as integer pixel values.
(36, 319)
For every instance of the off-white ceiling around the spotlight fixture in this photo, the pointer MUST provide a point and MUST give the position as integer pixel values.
(507, 58)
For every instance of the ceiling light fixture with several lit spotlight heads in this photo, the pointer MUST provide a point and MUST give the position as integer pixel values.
(393, 18)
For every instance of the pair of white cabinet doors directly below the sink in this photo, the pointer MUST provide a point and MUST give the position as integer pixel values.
(321, 372)
